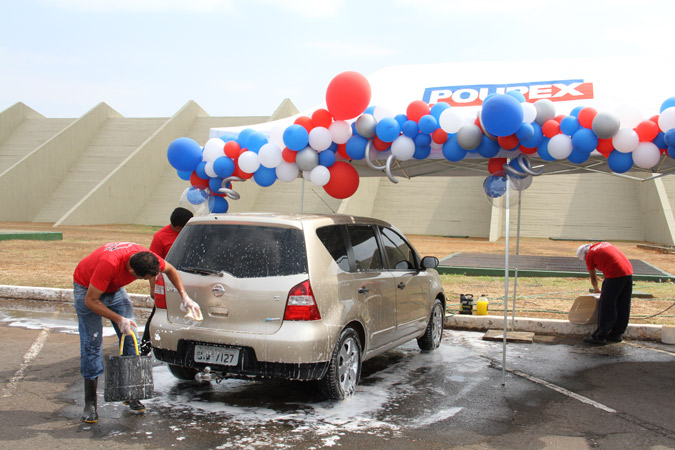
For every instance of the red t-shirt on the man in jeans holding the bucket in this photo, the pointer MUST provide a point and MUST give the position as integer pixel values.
(106, 268)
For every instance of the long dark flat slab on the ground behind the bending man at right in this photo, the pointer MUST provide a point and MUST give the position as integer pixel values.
(544, 263)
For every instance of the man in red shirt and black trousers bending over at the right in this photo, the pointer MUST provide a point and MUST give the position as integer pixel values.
(617, 288)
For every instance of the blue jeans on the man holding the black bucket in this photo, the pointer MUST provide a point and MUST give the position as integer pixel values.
(90, 326)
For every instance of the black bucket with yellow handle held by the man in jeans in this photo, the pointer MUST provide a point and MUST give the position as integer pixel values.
(128, 377)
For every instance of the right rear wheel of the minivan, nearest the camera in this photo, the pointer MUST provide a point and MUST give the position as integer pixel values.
(344, 368)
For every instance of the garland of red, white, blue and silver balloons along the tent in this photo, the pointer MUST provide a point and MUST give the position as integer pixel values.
(321, 146)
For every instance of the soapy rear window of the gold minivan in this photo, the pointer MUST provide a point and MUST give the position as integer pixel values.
(245, 251)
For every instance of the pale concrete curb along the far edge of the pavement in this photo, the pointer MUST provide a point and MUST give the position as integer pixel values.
(458, 321)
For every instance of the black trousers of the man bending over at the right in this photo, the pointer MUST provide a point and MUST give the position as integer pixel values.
(614, 307)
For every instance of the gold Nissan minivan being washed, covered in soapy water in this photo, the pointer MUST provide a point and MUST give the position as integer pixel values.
(297, 296)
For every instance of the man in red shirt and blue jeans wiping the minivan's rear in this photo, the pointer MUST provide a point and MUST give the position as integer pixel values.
(98, 288)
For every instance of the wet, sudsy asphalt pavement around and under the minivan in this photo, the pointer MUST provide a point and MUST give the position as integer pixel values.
(558, 393)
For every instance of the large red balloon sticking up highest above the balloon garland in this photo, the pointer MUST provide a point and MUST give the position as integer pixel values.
(347, 95)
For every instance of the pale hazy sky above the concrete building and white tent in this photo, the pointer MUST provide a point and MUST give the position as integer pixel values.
(147, 58)
